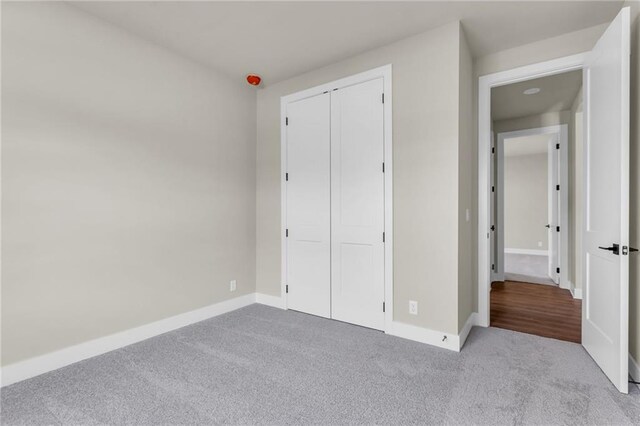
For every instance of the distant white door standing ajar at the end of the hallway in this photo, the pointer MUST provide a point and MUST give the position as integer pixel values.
(553, 164)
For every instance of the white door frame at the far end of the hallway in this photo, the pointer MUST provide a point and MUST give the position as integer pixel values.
(563, 254)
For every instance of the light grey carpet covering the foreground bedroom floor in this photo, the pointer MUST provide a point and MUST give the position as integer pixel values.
(261, 365)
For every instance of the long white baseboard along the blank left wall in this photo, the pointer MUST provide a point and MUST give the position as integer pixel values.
(36, 366)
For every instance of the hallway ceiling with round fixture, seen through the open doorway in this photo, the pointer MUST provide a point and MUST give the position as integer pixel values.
(557, 93)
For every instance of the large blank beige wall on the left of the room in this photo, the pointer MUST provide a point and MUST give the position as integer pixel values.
(128, 181)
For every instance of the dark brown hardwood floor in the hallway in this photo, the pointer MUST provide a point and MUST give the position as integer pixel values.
(542, 310)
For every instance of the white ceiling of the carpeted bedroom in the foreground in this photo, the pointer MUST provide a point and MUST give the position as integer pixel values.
(282, 39)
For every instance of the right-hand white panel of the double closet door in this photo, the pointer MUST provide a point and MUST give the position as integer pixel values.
(357, 204)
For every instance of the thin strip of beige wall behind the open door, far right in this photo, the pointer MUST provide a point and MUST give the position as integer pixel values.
(634, 214)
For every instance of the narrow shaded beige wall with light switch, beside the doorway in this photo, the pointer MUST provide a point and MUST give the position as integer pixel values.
(466, 237)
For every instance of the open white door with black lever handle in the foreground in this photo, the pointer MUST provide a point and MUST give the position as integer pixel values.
(605, 309)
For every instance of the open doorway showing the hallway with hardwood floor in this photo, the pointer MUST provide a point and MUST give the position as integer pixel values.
(533, 206)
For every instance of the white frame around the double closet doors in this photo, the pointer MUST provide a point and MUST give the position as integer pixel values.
(384, 72)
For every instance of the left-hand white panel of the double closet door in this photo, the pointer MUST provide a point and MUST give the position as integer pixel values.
(308, 206)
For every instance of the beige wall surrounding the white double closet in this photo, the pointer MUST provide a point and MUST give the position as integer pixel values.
(425, 164)
